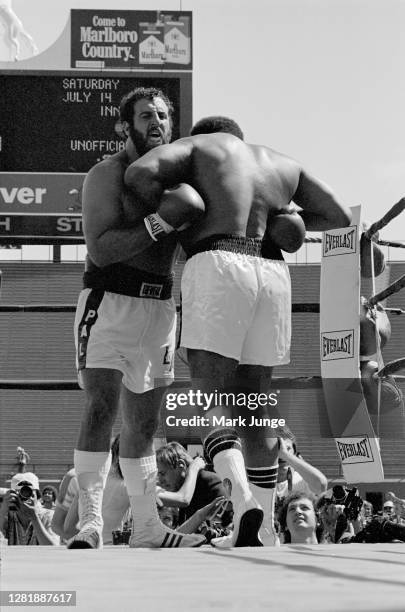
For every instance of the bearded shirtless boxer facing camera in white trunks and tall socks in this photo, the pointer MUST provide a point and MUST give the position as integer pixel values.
(125, 327)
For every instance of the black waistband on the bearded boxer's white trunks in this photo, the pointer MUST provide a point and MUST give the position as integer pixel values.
(119, 278)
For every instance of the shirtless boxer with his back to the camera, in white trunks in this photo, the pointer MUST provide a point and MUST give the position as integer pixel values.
(236, 298)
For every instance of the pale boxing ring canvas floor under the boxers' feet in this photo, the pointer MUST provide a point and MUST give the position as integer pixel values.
(290, 578)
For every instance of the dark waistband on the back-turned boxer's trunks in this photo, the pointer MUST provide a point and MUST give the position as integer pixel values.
(236, 244)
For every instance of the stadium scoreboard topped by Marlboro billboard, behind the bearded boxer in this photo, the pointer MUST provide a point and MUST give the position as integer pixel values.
(58, 120)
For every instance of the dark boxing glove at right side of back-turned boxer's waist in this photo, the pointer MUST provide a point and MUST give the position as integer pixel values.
(287, 230)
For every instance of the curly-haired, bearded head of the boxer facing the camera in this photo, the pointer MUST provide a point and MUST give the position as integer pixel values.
(147, 118)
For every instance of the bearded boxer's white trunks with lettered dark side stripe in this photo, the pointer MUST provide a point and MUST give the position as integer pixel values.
(134, 335)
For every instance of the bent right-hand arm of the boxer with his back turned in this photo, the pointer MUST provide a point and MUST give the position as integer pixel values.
(321, 208)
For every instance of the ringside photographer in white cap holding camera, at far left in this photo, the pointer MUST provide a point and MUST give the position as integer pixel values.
(23, 519)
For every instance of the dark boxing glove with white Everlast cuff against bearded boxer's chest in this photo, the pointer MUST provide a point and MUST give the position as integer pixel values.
(179, 207)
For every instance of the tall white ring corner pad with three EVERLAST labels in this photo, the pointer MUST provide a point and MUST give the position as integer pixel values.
(357, 445)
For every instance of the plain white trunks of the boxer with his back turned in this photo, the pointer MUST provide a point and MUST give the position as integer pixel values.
(238, 306)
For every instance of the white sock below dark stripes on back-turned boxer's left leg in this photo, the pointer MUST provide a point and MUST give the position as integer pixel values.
(230, 464)
